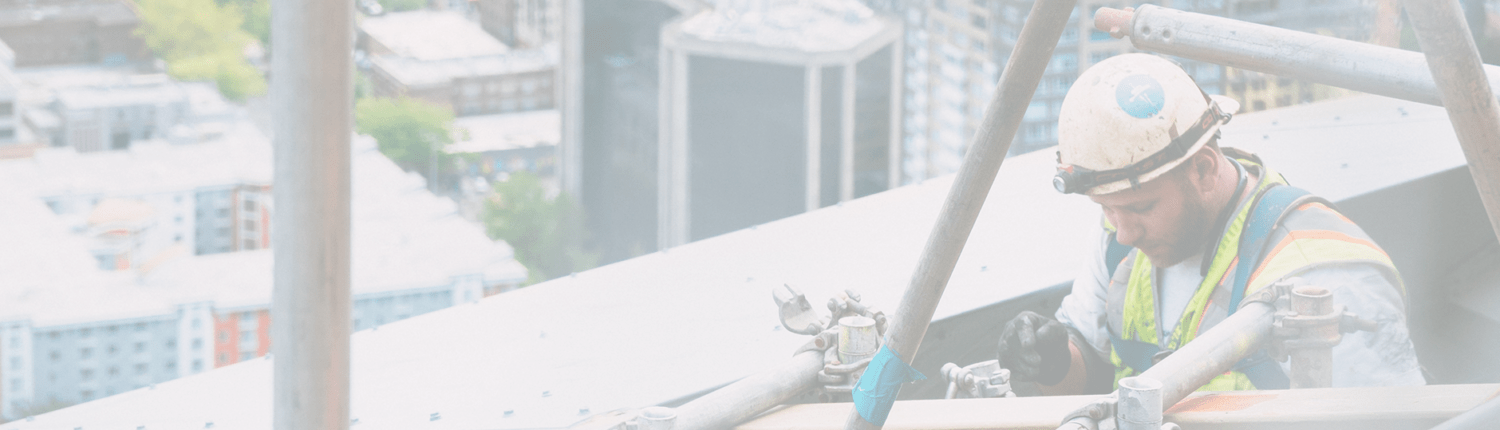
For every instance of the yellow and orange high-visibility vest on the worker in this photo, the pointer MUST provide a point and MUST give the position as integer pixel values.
(1312, 234)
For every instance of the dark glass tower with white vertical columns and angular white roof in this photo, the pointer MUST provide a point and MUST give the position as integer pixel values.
(775, 109)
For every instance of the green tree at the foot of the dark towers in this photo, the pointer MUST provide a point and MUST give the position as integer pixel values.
(547, 233)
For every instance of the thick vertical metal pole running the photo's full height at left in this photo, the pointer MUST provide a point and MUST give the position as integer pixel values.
(313, 95)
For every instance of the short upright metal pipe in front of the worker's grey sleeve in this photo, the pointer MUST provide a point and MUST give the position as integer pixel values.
(1313, 353)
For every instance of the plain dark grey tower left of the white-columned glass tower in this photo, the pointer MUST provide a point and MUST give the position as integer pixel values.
(610, 100)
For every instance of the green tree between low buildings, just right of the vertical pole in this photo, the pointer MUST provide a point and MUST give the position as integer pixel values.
(410, 133)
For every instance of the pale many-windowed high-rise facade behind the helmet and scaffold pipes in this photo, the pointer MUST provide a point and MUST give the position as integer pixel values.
(956, 49)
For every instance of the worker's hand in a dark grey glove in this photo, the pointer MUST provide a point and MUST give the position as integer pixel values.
(1036, 348)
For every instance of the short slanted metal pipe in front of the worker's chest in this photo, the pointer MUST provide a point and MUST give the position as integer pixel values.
(1213, 353)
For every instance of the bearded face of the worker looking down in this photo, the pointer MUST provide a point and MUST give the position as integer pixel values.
(1165, 218)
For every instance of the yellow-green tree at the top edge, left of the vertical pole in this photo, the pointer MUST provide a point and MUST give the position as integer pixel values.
(202, 41)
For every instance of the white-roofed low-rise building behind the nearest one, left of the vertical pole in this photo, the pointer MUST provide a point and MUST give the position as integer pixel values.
(205, 199)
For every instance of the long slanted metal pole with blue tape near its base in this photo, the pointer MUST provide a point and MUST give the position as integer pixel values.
(986, 154)
